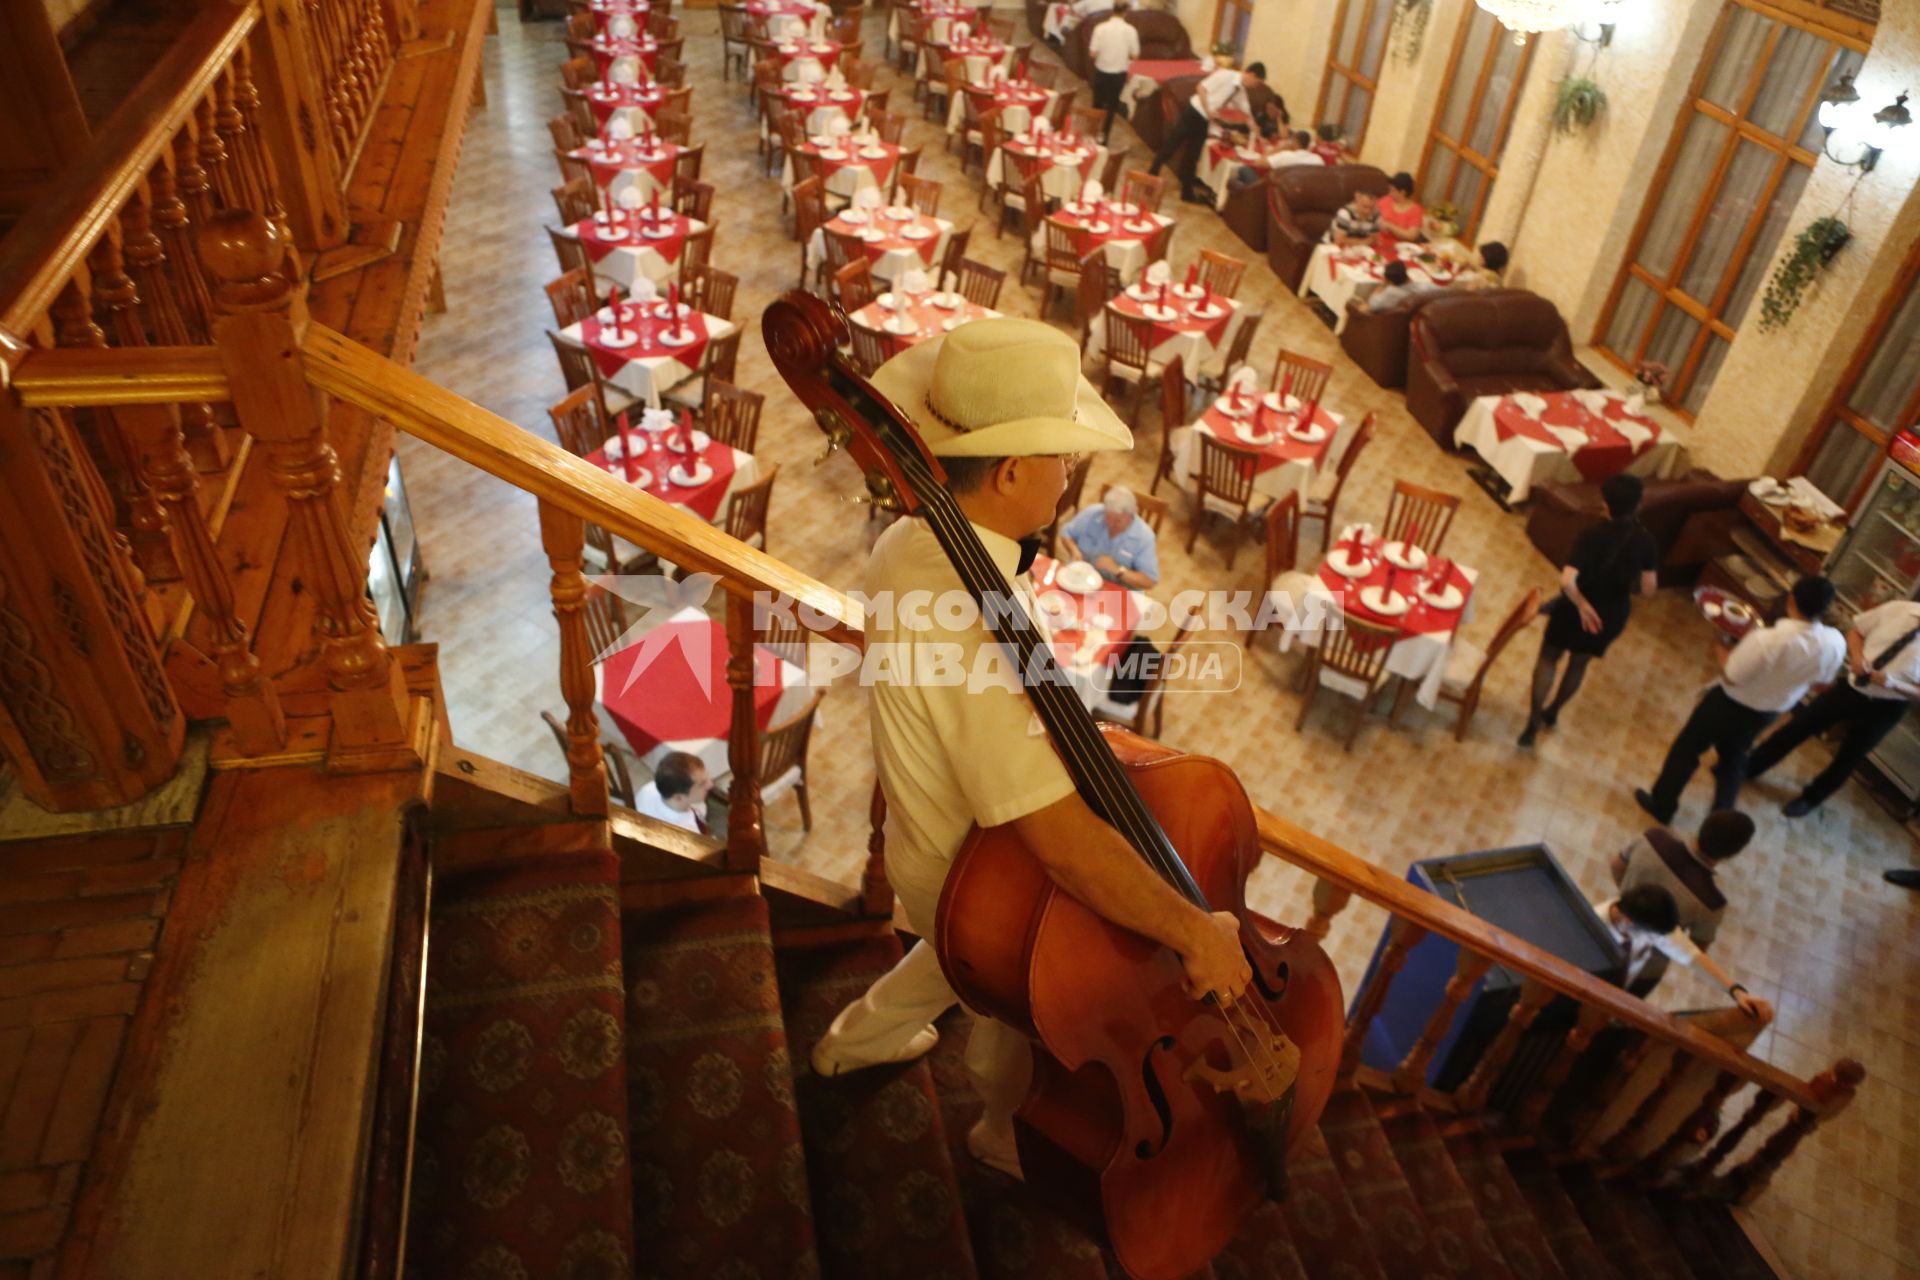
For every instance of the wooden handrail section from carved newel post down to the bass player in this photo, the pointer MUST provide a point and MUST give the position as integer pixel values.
(540, 467)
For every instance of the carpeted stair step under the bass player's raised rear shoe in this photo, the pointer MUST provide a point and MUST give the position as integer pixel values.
(886, 1200)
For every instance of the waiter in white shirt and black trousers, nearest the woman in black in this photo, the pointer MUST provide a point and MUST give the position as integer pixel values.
(1765, 675)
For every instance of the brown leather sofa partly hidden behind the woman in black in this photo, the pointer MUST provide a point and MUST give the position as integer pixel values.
(1691, 519)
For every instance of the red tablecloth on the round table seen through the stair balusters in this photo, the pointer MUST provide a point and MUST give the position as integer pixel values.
(679, 686)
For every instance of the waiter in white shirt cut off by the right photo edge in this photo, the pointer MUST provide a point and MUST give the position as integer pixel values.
(1883, 682)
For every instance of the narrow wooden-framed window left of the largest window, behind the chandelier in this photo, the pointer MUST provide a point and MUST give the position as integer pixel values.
(1470, 131)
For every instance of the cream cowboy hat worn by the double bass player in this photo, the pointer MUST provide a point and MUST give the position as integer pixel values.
(1001, 389)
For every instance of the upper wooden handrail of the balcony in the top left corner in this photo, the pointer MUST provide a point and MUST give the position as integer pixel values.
(53, 241)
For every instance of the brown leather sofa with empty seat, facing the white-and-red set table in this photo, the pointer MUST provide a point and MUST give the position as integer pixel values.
(1493, 343)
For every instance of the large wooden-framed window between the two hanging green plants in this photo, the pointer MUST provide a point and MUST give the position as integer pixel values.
(1746, 143)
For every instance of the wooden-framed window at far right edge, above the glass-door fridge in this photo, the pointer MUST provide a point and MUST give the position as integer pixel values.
(1879, 396)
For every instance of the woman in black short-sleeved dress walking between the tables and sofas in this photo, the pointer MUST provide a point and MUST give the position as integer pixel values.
(1608, 565)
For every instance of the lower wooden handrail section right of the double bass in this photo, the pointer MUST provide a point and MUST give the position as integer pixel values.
(1356, 876)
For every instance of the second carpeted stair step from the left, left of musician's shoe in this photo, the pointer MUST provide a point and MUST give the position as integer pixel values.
(719, 1170)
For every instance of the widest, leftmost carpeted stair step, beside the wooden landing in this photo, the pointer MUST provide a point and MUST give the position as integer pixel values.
(521, 1164)
